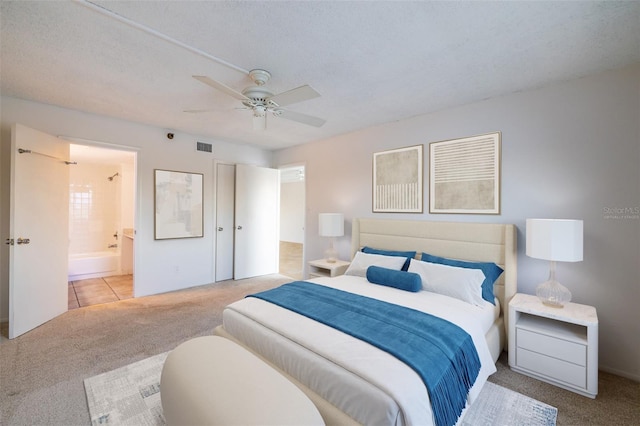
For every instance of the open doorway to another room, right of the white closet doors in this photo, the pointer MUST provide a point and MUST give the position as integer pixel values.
(292, 220)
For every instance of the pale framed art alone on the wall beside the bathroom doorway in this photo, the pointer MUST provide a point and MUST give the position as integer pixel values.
(178, 204)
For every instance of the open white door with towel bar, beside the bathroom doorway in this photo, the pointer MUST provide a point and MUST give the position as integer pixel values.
(39, 228)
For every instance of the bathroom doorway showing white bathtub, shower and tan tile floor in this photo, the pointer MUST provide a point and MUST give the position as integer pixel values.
(101, 225)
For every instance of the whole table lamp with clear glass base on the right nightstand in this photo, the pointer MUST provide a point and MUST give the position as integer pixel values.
(556, 240)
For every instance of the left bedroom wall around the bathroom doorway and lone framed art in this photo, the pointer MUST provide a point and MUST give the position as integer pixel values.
(160, 266)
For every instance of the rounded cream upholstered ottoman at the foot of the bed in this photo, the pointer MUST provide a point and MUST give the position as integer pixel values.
(213, 381)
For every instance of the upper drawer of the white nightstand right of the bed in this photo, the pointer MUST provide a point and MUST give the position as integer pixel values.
(557, 348)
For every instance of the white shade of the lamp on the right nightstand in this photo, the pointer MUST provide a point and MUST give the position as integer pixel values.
(555, 239)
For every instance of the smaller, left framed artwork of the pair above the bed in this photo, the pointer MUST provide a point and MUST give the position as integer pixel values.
(397, 180)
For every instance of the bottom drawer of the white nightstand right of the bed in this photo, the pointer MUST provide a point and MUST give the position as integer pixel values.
(552, 367)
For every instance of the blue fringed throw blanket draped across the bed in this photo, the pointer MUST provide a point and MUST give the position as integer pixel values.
(442, 353)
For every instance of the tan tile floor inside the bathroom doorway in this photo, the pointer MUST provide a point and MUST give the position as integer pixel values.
(95, 291)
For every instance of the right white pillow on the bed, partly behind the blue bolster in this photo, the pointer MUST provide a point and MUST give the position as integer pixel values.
(462, 283)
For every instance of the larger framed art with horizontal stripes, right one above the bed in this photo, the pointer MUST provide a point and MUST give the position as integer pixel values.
(464, 175)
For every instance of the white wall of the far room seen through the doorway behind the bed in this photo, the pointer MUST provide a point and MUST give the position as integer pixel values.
(292, 212)
